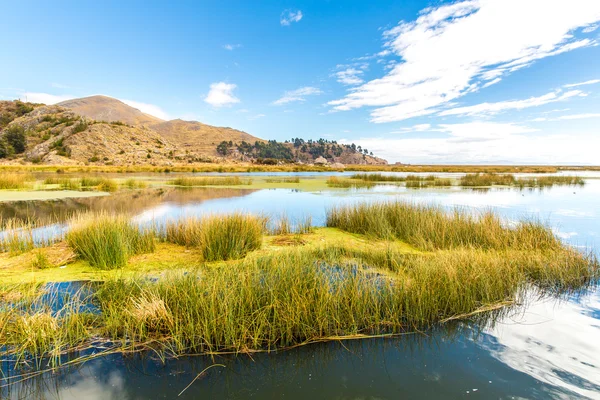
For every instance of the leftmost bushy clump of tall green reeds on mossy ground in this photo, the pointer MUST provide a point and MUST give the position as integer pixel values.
(107, 241)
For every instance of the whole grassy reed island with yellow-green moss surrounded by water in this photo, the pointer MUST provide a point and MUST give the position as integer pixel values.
(223, 284)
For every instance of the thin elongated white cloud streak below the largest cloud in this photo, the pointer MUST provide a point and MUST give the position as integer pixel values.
(494, 108)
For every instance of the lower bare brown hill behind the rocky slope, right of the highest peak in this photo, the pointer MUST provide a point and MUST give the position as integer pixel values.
(198, 138)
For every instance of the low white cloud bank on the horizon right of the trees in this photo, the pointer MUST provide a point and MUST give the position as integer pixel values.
(483, 142)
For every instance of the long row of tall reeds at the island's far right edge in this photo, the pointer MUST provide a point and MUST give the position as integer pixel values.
(431, 227)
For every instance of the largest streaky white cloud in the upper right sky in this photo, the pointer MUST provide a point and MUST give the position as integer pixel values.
(454, 49)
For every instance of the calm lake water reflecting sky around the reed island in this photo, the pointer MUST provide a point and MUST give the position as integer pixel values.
(550, 349)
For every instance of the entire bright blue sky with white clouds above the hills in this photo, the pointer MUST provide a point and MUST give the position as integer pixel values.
(421, 82)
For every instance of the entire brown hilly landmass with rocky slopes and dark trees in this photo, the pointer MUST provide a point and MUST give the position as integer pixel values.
(99, 130)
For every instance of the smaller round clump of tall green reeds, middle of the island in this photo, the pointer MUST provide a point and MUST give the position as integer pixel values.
(219, 237)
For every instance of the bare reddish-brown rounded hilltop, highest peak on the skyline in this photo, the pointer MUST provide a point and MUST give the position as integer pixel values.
(103, 108)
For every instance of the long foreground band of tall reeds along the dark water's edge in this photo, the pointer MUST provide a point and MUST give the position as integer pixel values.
(298, 296)
